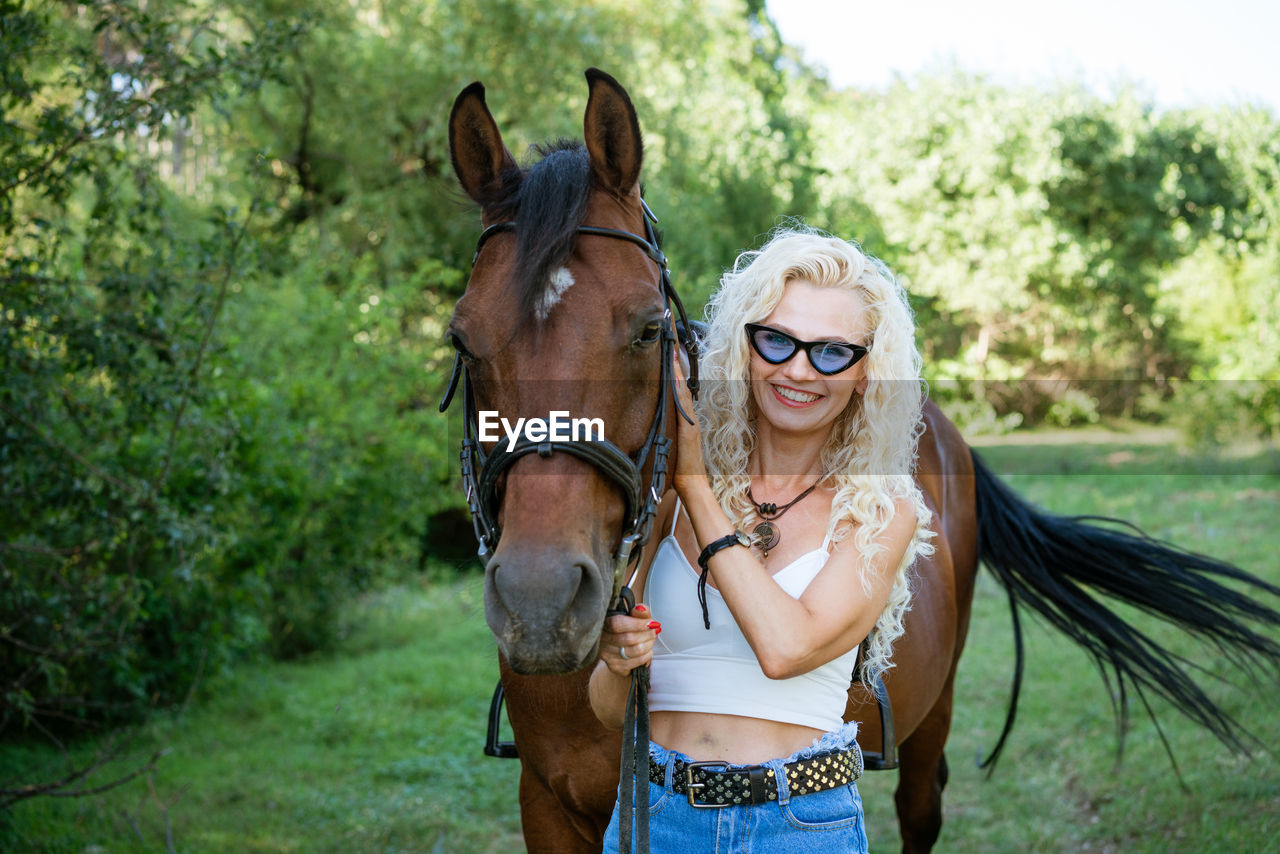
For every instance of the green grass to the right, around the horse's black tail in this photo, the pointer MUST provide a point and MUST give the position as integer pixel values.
(1059, 787)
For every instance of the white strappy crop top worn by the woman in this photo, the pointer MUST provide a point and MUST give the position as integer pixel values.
(716, 672)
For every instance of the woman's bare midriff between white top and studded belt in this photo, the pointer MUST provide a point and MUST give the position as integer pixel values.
(729, 738)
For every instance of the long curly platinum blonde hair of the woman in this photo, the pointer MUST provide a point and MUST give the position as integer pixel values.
(871, 453)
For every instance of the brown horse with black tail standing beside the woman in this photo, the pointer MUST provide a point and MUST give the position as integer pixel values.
(561, 316)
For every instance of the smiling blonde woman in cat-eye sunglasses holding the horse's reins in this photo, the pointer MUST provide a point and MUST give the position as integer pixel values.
(784, 549)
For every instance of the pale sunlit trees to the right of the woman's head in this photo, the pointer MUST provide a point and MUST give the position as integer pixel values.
(1048, 238)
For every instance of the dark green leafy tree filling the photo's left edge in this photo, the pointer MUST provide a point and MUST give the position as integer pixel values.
(116, 455)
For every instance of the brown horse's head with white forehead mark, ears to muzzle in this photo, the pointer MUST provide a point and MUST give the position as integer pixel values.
(568, 327)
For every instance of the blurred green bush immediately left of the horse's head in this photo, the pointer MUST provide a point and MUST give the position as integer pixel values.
(342, 453)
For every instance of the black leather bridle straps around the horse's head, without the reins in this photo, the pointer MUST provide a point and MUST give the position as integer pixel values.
(482, 472)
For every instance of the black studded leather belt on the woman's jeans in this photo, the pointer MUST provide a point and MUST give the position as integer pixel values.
(712, 784)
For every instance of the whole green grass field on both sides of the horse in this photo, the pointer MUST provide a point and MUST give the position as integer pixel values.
(378, 747)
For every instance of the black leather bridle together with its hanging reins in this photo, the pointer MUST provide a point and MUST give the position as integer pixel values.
(482, 473)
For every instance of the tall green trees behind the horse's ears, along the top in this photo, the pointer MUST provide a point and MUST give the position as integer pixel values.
(356, 134)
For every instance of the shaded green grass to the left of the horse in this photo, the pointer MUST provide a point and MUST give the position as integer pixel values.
(377, 750)
